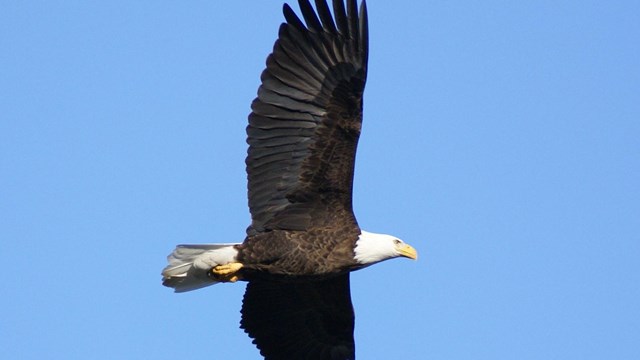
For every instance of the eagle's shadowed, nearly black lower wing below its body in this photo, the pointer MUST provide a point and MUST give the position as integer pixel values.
(300, 320)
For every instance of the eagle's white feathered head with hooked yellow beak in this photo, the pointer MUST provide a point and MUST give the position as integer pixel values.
(372, 248)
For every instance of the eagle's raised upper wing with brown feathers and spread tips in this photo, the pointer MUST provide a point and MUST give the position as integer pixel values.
(306, 120)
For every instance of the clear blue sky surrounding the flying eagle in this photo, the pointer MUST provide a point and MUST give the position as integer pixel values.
(501, 139)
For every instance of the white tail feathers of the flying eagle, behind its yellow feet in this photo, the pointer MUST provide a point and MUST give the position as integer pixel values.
(189, 265)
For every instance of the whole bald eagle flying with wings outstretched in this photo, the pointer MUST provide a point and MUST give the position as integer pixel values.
(303, 240)
